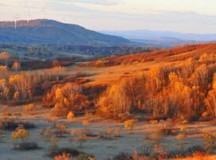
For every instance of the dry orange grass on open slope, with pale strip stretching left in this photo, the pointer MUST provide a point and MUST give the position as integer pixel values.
(133, 64)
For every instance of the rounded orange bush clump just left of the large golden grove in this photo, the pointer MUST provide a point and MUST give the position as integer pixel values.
(65, 99)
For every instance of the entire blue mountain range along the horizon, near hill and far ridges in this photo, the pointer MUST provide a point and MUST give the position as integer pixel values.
(51, 32)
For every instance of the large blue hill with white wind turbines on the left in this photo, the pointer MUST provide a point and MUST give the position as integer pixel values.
(43, 31)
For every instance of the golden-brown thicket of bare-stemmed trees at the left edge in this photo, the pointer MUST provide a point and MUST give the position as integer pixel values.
(24, 87)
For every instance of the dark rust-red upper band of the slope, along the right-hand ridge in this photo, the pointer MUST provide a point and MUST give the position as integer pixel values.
(167, 55)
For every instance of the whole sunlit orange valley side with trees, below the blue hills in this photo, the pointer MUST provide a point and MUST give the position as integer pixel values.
(165, 99)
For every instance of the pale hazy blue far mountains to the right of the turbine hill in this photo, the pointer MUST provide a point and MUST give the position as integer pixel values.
(162, 38)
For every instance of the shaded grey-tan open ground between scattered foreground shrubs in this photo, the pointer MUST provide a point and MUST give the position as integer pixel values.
(102, 148)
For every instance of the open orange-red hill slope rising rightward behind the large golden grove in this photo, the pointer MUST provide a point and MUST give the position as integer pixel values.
(110, 69)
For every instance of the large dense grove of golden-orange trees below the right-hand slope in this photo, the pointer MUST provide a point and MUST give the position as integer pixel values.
(178, 92)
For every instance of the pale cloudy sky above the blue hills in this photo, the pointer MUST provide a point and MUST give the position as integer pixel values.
(186, 16)
